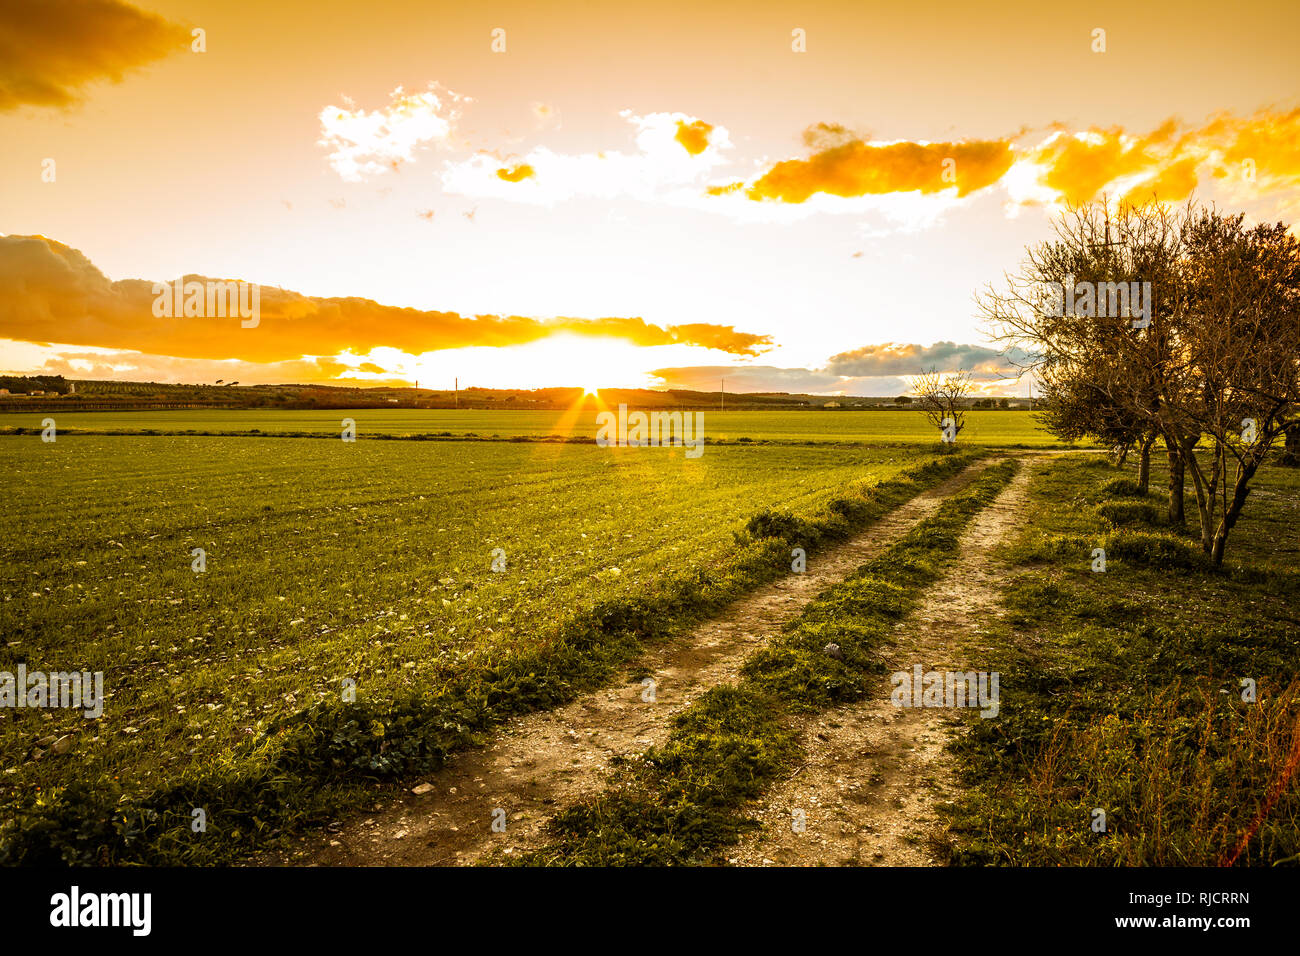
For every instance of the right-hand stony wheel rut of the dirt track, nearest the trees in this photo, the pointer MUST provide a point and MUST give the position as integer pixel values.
(874, 773)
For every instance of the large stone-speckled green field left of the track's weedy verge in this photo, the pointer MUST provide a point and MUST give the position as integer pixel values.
(327, 561)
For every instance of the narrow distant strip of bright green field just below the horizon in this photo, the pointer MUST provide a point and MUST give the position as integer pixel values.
(874, 427)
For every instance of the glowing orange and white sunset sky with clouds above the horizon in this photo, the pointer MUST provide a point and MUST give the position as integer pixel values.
(629, 196)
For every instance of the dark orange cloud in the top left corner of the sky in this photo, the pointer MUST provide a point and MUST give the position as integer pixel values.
(51, 50)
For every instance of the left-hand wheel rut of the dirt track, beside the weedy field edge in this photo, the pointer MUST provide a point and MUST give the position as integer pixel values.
(544, 762)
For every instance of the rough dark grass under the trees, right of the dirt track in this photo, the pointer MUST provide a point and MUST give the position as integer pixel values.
(1125, 690)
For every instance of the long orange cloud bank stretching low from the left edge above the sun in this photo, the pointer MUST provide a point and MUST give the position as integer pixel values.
(53, 293)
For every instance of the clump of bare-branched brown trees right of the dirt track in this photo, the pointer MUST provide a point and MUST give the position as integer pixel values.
(1211, 358)
